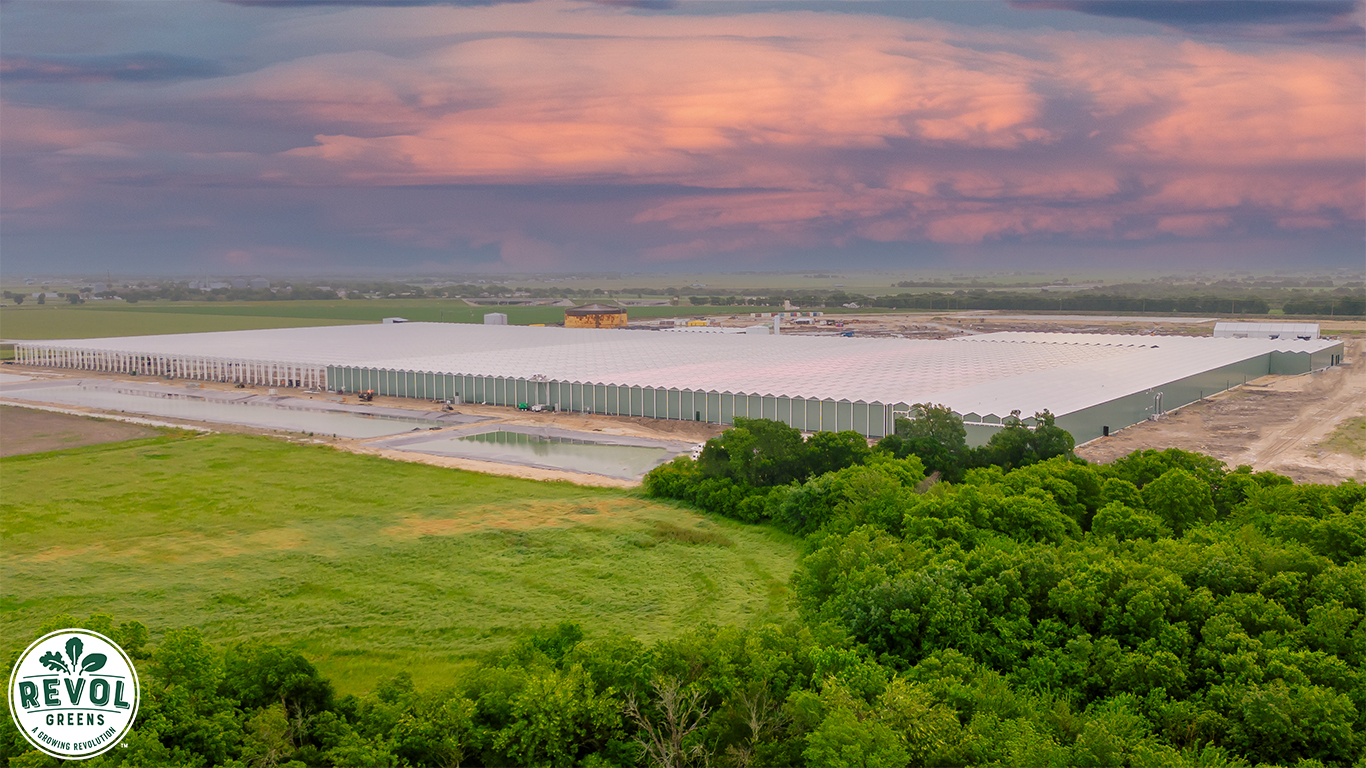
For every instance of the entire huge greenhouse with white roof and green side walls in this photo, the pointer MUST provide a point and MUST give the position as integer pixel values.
(1092, 383)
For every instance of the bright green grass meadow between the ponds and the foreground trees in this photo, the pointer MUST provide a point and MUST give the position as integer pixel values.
(368, 566)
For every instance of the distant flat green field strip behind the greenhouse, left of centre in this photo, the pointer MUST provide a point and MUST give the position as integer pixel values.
(144, 319)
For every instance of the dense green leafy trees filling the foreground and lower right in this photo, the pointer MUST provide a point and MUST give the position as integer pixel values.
(1009, 605)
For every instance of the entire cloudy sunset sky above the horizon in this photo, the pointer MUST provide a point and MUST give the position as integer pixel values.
(315, 136)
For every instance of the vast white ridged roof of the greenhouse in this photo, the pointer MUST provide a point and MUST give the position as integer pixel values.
(988, 375)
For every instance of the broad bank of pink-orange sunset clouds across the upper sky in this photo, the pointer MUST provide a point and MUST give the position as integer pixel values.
(822, 128)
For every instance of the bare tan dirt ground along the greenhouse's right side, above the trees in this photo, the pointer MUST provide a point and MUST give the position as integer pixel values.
(1277, 424)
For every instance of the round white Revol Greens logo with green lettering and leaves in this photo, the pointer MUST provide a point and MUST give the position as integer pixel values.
(74, 695)
